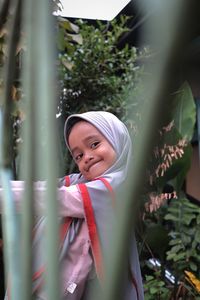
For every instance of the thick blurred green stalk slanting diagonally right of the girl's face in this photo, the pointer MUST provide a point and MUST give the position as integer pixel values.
(165, 40)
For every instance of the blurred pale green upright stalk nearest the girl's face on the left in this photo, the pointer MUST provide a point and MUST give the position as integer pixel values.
(43, 34)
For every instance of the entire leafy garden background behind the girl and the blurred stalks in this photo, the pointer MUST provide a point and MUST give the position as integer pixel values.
(103, 66)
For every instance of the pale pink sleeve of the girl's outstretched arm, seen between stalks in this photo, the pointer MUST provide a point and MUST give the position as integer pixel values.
(69, 199)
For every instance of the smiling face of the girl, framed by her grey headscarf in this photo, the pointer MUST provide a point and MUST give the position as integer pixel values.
(91, 150)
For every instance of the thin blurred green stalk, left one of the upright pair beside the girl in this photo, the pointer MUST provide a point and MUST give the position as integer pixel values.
(28, 164)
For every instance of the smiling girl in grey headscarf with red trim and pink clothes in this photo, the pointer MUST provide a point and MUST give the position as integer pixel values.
(101, 147)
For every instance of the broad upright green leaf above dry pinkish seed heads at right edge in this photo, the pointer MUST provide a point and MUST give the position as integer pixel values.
(184, 113)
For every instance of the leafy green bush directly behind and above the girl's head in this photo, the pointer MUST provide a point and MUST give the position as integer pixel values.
(94, 74)
